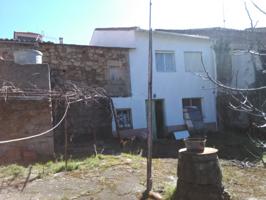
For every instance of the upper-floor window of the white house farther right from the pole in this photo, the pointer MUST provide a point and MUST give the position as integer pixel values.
(193, 61)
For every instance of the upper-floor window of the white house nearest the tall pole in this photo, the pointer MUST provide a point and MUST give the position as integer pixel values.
(165, 61)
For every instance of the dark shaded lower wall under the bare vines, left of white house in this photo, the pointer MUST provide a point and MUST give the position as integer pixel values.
(83, 120)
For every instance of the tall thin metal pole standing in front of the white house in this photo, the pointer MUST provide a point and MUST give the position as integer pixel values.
(149, 121)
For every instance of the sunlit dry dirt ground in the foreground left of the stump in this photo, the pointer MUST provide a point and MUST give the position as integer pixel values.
(120, 180)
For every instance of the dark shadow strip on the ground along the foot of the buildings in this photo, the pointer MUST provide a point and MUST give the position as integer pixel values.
(231, 145)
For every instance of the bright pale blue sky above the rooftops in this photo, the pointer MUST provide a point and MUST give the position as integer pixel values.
(75, 20)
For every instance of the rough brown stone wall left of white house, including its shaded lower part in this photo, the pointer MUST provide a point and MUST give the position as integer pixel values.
(83, 66)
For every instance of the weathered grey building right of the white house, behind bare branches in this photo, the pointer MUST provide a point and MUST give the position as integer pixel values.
(241, 63)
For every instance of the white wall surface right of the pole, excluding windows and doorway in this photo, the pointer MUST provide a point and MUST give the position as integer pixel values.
(182, 84)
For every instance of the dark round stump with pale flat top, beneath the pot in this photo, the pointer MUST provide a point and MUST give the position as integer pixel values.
(199, 176)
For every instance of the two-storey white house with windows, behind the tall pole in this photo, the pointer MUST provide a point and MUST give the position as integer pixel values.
(176, 63)
